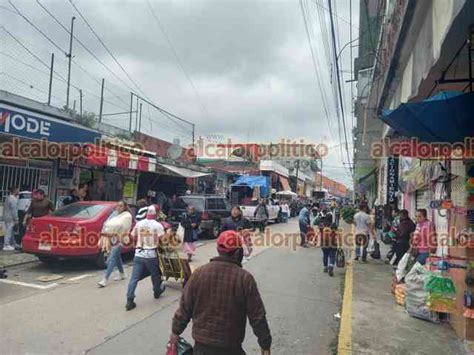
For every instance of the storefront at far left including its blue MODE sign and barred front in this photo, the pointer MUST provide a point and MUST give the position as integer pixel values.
(33, 141)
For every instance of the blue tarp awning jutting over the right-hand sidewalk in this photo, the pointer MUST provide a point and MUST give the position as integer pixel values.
(444, 117)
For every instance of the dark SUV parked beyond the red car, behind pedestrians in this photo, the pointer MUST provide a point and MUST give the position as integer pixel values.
(212, 209)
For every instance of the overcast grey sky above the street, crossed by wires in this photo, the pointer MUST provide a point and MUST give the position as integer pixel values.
(249, 63)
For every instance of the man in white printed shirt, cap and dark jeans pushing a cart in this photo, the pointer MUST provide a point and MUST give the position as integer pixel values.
(148, 233)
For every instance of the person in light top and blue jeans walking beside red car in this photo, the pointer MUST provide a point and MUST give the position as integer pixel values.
(115, 231)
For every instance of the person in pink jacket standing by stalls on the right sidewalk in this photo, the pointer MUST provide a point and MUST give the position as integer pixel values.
(424, 238)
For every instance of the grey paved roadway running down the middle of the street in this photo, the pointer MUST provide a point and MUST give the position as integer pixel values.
(75, 316)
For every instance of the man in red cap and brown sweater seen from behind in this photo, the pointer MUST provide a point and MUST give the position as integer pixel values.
(219, 297)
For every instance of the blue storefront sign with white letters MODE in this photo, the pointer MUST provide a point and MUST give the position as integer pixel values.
(32, 125)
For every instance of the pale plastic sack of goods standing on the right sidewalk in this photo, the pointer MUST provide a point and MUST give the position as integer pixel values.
(416, 294)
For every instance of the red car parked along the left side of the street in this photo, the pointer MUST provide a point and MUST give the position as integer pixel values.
(72, 231)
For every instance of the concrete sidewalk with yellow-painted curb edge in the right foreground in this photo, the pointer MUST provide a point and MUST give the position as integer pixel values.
(372, 322)
